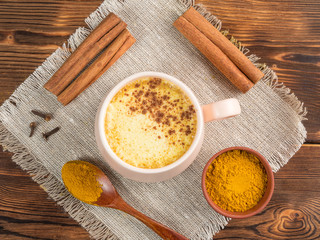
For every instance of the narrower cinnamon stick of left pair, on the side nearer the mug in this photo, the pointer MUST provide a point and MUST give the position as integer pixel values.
(95, 69)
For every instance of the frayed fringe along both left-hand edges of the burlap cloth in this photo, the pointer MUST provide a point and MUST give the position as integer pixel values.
(55, 189)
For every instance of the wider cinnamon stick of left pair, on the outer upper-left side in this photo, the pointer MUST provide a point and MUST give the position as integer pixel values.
(100, 37)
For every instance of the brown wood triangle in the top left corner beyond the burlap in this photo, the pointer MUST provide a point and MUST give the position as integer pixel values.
(30, 31)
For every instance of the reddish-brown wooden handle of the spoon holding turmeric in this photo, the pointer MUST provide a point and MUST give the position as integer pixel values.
(160, 229)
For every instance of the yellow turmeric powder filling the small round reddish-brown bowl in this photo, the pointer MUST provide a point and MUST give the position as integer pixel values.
(236, 180)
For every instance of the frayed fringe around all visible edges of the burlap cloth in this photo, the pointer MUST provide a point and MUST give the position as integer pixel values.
(43, 73)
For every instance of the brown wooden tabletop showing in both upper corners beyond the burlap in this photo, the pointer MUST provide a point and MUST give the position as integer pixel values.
(30, 31)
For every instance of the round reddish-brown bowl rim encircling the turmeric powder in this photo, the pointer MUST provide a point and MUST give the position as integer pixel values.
(264, 200)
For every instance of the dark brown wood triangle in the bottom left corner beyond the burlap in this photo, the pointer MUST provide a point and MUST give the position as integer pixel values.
(25, 210)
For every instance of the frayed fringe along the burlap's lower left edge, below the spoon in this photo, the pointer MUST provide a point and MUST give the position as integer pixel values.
(53, 186)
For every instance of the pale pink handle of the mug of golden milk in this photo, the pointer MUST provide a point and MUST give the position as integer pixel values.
(221, 110)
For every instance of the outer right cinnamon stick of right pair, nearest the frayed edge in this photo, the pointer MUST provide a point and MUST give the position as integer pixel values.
(215, 36)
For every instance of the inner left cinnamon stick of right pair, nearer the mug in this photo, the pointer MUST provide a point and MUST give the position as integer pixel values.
(214, 54)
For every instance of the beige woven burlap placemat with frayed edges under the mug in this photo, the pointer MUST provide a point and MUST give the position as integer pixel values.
(270, 123)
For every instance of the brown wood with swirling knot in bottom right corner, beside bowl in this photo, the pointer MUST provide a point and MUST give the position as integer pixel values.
(294, 210)
